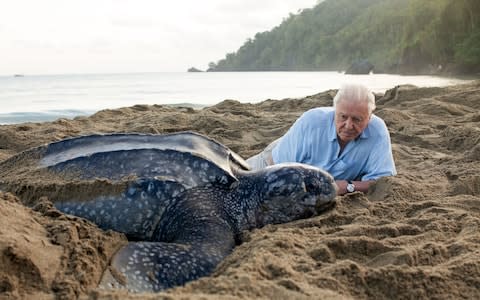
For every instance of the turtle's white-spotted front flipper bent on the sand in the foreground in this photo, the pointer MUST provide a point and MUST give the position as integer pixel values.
(191, 248)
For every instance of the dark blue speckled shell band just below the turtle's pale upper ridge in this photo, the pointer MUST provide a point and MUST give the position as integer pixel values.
(183, 167)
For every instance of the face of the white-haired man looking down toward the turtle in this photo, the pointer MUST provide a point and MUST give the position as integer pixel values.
(351, 118)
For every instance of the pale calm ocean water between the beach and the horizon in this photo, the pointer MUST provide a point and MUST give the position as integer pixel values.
(39, 98)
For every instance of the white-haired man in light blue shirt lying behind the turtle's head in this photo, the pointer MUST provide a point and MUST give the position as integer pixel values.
(346, 140)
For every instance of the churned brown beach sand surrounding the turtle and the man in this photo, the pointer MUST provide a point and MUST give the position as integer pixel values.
(415, 235)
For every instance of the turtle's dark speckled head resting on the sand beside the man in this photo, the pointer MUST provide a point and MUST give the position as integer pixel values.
(294, 191)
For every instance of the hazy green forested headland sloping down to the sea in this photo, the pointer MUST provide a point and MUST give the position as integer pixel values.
(406, 36)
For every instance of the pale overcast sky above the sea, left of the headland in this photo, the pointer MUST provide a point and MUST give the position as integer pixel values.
(102, 36)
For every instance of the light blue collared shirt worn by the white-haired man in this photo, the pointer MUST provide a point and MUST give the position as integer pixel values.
(312, 140)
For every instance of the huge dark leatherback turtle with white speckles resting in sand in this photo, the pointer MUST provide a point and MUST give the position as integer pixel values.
(182, 199)
